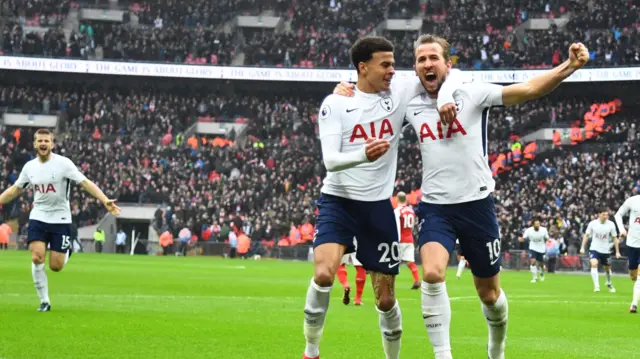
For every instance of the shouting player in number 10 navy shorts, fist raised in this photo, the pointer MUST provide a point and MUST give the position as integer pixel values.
(457, 184)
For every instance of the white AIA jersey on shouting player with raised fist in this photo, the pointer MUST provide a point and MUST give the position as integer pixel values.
(454, 158)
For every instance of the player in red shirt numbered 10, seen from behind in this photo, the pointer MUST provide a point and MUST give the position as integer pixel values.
(406, 220)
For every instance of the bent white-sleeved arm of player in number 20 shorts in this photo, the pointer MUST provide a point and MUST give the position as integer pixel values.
(330, 130)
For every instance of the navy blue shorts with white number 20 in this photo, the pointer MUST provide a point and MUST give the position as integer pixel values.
(373, 224)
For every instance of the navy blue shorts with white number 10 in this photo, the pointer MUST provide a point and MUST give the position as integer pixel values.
(474, 224)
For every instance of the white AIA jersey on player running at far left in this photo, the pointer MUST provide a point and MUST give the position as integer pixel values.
(51, 185)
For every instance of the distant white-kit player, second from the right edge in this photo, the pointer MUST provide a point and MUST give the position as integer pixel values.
(601, 231)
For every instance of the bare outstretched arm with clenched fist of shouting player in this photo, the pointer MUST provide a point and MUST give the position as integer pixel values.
(543, 84)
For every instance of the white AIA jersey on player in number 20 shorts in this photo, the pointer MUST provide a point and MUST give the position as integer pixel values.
(357, 119)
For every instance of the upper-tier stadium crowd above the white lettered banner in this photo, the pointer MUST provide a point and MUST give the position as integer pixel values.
(482, 32)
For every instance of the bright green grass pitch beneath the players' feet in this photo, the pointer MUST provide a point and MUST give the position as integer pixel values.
(117, 306)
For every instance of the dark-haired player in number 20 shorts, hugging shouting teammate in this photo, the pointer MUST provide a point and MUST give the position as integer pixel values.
(359, 138)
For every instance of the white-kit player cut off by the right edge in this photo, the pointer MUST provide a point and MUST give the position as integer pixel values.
(631, 208)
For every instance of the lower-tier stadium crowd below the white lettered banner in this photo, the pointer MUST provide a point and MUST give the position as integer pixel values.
(129, 142)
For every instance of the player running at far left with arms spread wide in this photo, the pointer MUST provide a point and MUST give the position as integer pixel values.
(50, 176)
